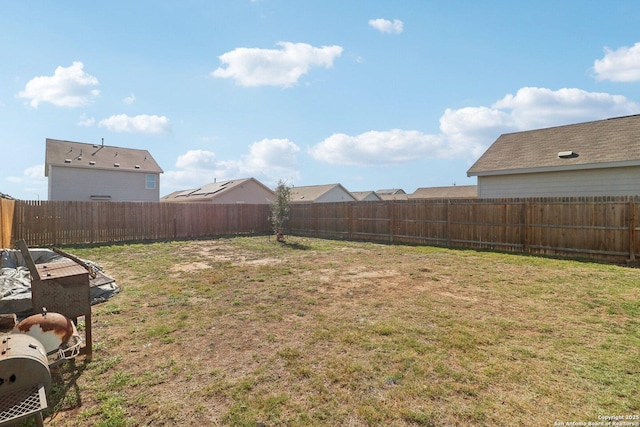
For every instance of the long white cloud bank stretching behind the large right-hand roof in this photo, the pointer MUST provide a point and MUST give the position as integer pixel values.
(467, 132)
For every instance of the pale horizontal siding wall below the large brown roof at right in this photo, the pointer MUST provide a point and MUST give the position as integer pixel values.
(593, 182)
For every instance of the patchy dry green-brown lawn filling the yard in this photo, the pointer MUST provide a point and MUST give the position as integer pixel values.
(249, 332)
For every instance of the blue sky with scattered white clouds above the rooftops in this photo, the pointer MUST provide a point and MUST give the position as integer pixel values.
(369, 94)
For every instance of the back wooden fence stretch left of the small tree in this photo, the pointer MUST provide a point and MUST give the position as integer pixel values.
(46, 223)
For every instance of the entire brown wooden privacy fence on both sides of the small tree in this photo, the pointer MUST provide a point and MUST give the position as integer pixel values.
(598, 228)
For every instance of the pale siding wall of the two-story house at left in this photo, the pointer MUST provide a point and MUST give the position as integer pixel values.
(82, 184)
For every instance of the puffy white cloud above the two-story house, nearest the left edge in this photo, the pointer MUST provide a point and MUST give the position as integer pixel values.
(68, 87)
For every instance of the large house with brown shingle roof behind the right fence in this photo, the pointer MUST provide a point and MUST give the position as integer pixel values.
(599, 158)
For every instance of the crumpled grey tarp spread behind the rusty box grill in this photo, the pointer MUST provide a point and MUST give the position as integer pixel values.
(15, 280)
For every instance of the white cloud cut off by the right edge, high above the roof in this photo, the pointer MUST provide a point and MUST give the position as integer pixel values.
(622, 65)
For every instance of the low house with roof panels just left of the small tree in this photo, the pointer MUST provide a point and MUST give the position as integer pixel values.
(246, 190)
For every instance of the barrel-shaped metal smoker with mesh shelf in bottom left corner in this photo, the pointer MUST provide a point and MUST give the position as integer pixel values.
(24, 378)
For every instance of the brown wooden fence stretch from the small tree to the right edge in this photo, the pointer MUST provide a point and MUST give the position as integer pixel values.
(598, 228)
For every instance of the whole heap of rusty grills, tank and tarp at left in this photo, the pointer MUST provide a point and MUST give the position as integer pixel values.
(30, 281)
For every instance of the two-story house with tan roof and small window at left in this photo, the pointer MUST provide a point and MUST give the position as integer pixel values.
(79, 171)
